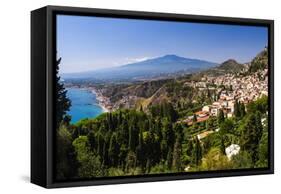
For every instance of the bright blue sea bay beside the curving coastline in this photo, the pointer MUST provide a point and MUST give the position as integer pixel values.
(83, 104)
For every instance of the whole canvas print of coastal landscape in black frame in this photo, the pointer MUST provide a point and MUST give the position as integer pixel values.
(125, 96)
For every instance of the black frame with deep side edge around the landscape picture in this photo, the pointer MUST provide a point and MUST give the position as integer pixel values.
(43, 59)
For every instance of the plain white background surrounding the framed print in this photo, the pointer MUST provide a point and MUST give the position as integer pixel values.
(15, 94)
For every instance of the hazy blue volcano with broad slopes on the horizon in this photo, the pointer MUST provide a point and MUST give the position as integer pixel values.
(156, 67)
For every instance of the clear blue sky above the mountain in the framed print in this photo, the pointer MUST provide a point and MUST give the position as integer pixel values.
(89, 43)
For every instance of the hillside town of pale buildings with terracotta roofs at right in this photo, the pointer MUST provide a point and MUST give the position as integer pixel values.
(243, 89)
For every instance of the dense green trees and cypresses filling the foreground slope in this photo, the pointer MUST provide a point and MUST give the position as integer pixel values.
(130, 142)
